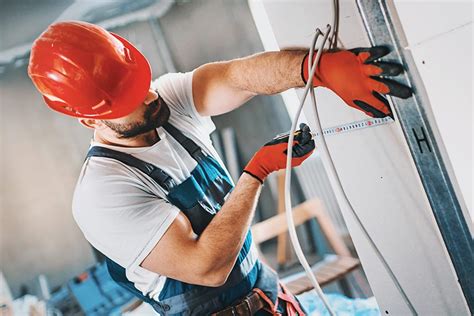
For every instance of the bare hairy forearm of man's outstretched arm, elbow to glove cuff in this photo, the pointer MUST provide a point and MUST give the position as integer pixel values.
(268, 72)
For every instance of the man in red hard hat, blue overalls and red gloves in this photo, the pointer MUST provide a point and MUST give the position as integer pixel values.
(153, 195)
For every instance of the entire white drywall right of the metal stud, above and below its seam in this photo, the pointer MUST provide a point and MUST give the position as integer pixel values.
(442, 49)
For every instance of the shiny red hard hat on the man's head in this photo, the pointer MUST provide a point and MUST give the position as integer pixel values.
(82, 70)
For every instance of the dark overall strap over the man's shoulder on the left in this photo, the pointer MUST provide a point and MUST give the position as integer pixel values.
(161, 177)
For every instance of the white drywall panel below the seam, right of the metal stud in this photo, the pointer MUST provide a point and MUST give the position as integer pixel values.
(449, 85)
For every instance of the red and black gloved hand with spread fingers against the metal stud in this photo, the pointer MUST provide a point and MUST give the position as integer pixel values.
(354, 76)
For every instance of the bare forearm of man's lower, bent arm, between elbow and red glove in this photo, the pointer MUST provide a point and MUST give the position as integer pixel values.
(224, 236)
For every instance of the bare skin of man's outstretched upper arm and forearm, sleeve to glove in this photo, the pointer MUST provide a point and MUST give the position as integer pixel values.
(221, 87)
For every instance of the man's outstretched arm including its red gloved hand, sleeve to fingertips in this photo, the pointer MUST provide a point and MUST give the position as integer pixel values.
(357, 76)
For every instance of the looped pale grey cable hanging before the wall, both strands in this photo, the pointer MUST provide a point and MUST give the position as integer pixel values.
(332, 169)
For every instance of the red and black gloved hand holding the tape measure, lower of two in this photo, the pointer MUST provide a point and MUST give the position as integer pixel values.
(272, 156)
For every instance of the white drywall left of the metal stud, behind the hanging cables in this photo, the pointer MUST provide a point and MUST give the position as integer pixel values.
(378, 176)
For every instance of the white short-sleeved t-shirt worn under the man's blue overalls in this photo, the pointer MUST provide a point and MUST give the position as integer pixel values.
(120, 210)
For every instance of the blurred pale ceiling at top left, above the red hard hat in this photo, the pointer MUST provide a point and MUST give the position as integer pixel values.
(21, 21)
